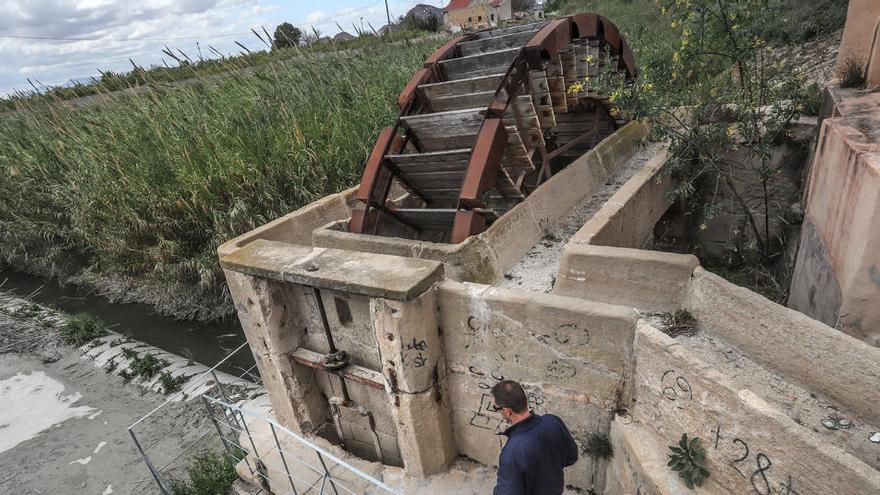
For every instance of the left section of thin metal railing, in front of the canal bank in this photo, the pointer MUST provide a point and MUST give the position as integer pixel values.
(166, 436)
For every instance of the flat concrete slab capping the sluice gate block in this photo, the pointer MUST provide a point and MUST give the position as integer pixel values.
(390, 277)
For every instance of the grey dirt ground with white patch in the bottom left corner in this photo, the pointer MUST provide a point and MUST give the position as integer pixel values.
(67, 420)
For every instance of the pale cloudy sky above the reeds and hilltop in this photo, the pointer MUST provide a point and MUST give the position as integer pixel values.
(87, 35)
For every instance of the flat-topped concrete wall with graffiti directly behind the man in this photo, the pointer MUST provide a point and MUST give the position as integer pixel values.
(572, 357)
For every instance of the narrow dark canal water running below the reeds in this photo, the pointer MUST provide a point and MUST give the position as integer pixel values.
(204, 342)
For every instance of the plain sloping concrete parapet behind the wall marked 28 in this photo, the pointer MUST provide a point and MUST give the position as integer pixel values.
(805, 350)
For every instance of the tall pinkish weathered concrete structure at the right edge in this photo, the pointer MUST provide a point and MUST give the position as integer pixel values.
(837, 275)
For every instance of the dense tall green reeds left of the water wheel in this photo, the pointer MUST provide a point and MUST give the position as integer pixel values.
(146, 187)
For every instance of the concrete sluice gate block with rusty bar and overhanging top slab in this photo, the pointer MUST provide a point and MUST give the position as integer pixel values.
(292, 300)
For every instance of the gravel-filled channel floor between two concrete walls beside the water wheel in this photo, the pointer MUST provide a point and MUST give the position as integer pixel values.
(537, 270)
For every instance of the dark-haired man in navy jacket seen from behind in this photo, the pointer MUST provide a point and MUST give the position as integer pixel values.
(537, 449)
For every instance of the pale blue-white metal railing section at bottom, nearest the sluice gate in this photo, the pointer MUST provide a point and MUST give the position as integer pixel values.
(284, 460)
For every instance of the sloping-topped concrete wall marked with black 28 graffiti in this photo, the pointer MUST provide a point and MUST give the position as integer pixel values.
(751, 447)
